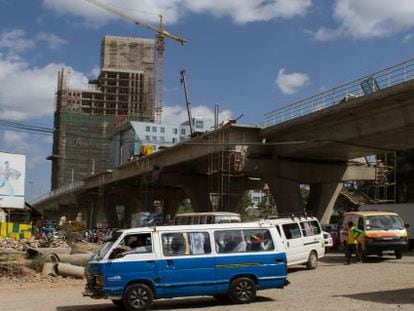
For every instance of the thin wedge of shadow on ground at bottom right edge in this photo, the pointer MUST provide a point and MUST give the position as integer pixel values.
(398, 296)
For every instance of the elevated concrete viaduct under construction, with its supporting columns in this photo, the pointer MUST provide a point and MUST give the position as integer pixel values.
(314, 149)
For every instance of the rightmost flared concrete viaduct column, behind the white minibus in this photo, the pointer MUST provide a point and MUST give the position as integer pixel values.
(322, 198)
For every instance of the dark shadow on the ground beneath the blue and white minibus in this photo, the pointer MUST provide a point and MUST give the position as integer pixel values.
(165, 304)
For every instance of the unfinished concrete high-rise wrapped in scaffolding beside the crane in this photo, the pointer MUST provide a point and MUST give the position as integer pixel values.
(84, 118)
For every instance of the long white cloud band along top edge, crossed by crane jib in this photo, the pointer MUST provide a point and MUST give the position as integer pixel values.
(241, 11)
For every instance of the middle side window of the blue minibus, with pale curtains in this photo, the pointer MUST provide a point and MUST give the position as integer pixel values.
(185, 243)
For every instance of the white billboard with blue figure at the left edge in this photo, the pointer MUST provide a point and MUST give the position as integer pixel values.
(12, 179)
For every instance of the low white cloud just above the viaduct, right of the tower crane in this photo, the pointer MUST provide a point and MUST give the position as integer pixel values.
(177, 114)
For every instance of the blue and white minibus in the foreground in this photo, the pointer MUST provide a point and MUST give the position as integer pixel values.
(222, 260)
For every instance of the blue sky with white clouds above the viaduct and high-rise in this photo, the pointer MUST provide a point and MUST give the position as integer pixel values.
(247, 56)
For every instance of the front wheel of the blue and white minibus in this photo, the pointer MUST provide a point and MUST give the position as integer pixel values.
(138, 297)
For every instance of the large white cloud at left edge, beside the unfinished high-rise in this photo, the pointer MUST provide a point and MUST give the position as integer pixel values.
(27, 91)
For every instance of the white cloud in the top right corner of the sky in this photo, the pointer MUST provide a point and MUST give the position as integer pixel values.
(369, 19)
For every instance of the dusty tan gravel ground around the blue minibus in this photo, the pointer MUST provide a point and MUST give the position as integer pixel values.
(380, 284)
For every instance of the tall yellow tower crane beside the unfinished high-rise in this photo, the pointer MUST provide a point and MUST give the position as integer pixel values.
(161, 35)
